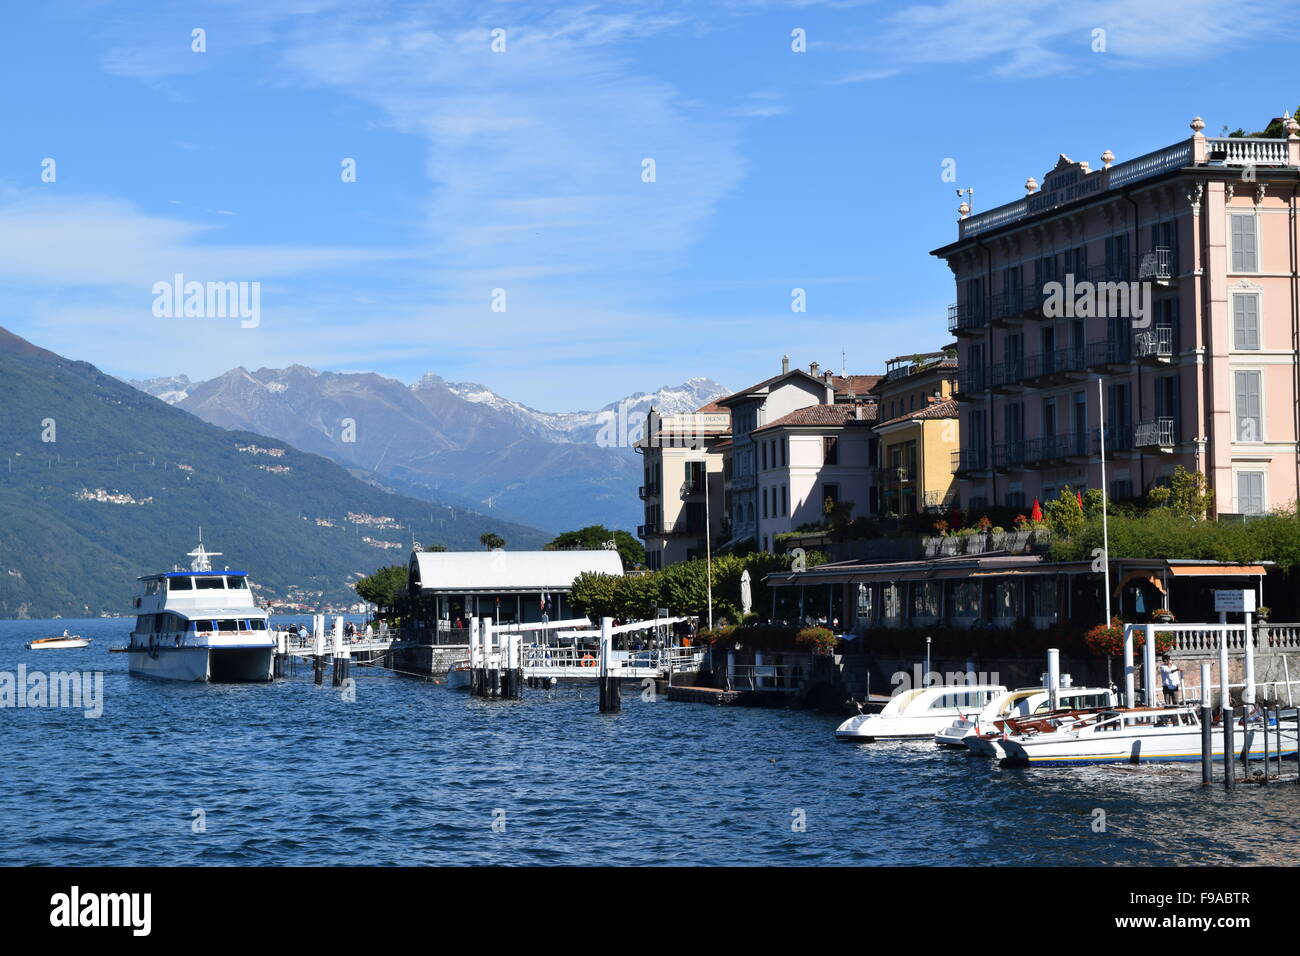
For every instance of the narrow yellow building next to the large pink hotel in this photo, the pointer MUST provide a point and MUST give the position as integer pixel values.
(918, 434)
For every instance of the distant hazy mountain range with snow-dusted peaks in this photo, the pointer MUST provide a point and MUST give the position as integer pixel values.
(453, 443)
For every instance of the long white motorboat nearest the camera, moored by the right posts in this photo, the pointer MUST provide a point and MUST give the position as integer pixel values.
(1123, 736)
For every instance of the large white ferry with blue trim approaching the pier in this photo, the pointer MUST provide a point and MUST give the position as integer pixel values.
(201, 625)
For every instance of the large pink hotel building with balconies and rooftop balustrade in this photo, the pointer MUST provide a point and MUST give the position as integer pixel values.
(1207, 378)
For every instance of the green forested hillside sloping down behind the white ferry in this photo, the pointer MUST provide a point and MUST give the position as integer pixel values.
(298, 533)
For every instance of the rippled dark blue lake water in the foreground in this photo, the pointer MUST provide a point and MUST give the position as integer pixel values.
(413, 773)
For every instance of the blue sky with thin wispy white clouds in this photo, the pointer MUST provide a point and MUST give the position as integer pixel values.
(522, 171)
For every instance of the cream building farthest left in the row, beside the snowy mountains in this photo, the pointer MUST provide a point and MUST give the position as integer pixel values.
(683, 491)
